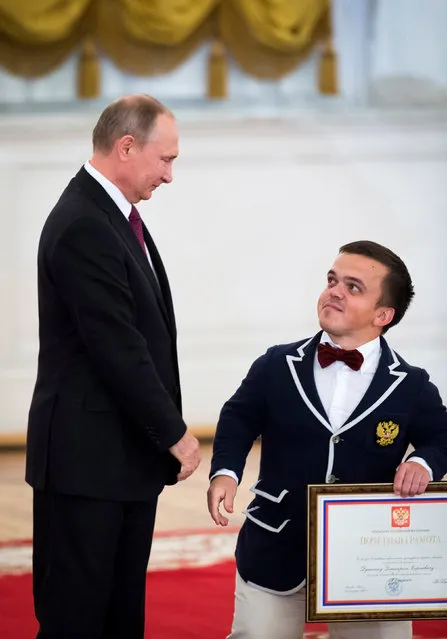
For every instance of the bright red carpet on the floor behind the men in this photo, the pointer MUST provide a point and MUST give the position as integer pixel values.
(191, 603)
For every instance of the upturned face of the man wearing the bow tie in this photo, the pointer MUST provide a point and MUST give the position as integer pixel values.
(348, 306)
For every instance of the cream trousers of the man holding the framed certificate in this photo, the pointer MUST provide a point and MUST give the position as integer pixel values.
(263, 615)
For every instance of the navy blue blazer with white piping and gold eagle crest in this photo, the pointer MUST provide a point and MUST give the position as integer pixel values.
(278, 402)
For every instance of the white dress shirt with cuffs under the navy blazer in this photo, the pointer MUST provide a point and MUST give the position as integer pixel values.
(340, 389)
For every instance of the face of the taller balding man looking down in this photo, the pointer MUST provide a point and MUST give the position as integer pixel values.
(151, 165)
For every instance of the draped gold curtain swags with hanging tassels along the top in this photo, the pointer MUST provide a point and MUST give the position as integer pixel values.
(267, 38)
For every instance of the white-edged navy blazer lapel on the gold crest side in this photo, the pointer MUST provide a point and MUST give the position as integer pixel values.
(387, 378)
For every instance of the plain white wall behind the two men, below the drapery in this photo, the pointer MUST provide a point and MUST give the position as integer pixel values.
(247, 230)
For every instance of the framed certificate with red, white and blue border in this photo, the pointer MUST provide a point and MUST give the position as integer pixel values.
(373, 555)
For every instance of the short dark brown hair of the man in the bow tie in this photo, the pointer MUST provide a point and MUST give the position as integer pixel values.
(397, 287)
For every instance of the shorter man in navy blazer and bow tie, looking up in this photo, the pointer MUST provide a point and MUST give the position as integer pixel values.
(341, 406)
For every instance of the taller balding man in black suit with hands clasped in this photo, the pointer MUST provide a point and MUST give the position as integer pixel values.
(105, 431)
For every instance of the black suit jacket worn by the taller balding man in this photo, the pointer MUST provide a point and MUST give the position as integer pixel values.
(106, 405)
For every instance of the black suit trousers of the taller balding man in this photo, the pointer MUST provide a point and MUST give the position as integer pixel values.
(89, 566)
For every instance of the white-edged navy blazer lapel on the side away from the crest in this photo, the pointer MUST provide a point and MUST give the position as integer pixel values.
(301, 367)
